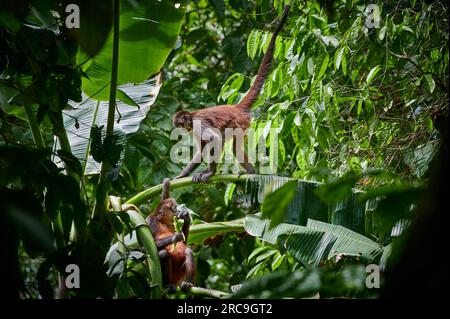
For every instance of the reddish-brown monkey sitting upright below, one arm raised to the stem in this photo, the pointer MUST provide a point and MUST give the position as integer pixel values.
(177, 263)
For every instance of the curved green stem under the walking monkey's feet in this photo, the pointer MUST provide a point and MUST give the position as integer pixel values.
(143, 196)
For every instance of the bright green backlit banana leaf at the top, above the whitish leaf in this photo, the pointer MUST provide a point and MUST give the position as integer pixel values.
(148, 31)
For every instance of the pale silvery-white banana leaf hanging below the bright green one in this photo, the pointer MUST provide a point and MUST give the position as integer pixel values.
(79, 120)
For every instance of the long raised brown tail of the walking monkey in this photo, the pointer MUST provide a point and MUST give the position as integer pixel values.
(264, 68)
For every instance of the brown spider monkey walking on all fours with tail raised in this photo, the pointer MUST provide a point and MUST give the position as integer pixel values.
(214, 120)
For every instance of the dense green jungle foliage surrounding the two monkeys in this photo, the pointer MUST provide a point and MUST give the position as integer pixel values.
(353, 113)
